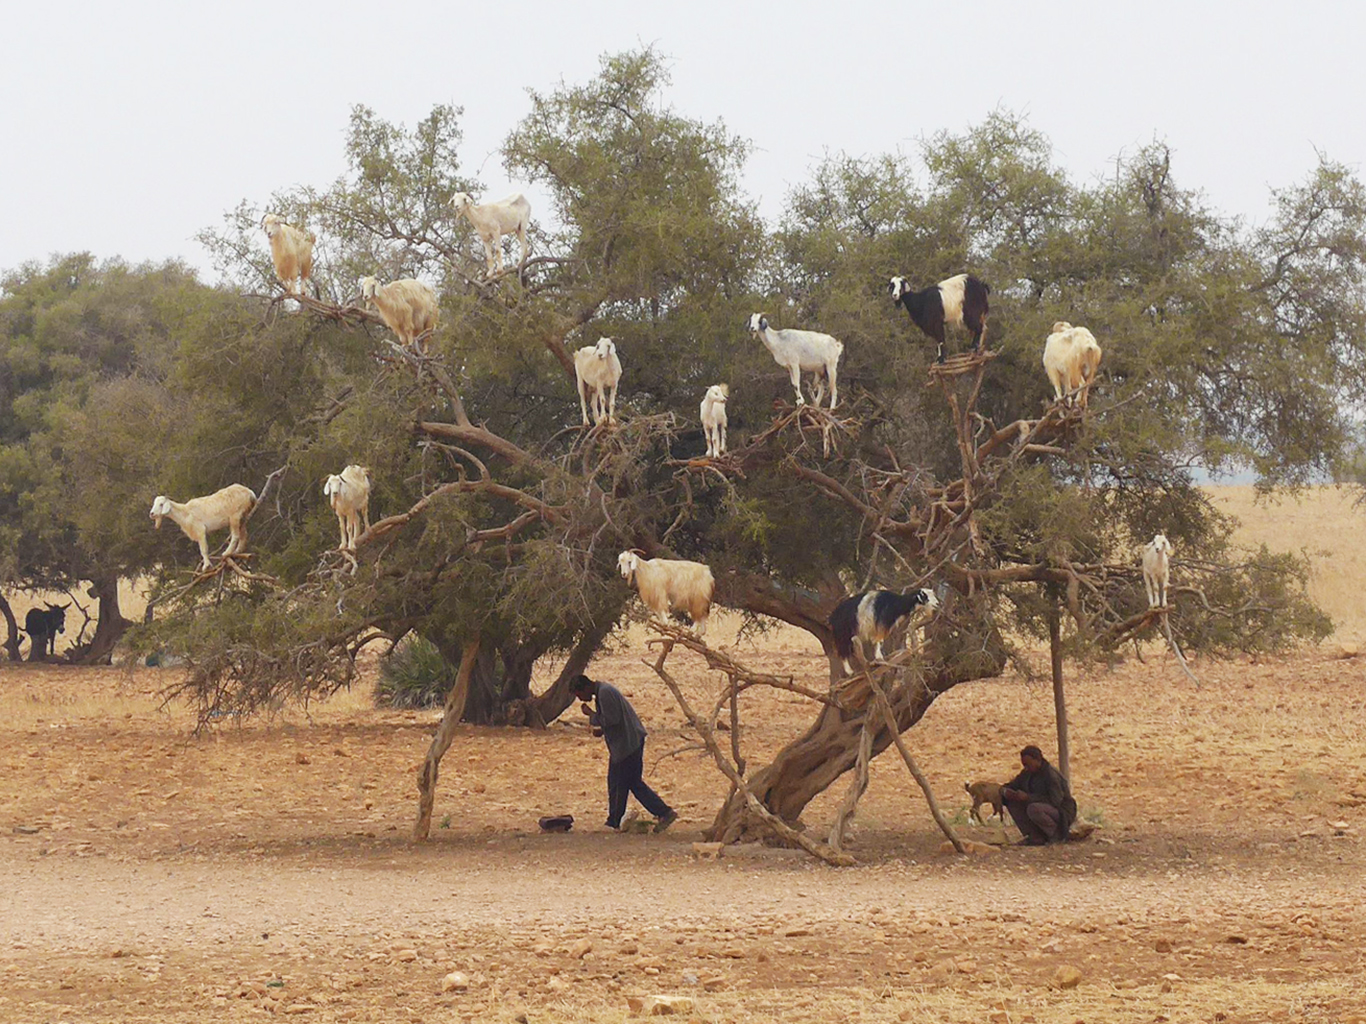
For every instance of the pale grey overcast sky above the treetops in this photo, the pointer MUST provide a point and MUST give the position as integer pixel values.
(129, 128)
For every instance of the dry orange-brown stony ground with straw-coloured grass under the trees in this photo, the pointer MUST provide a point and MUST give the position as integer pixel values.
(264, 868)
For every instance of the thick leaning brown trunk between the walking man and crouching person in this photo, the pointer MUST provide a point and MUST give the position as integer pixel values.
(815, 761)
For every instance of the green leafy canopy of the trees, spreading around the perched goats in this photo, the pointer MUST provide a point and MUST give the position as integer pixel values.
(499, 521)
